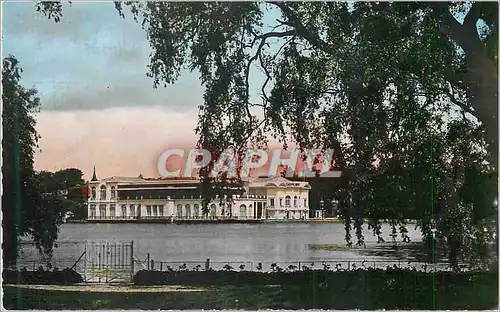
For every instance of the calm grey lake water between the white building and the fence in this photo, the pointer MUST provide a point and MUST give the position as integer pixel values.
(279, 242)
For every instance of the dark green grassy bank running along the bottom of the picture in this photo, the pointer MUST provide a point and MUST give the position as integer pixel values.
(475, 292)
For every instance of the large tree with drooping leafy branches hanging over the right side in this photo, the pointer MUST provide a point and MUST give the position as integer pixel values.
(382, 84)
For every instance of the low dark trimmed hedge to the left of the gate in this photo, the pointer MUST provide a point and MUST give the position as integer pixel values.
(42, 277)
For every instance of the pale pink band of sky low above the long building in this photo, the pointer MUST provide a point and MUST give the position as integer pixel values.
(117, 141)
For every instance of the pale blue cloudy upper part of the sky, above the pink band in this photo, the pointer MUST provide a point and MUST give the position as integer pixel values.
(92, 59)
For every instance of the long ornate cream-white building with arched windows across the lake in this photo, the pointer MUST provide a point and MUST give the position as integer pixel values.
(122, 198)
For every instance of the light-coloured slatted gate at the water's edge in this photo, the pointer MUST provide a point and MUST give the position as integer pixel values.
(109, 262)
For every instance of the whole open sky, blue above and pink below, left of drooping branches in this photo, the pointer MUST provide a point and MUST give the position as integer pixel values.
(98, 107)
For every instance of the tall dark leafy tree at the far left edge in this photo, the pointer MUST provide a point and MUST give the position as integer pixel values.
(25, 210)
